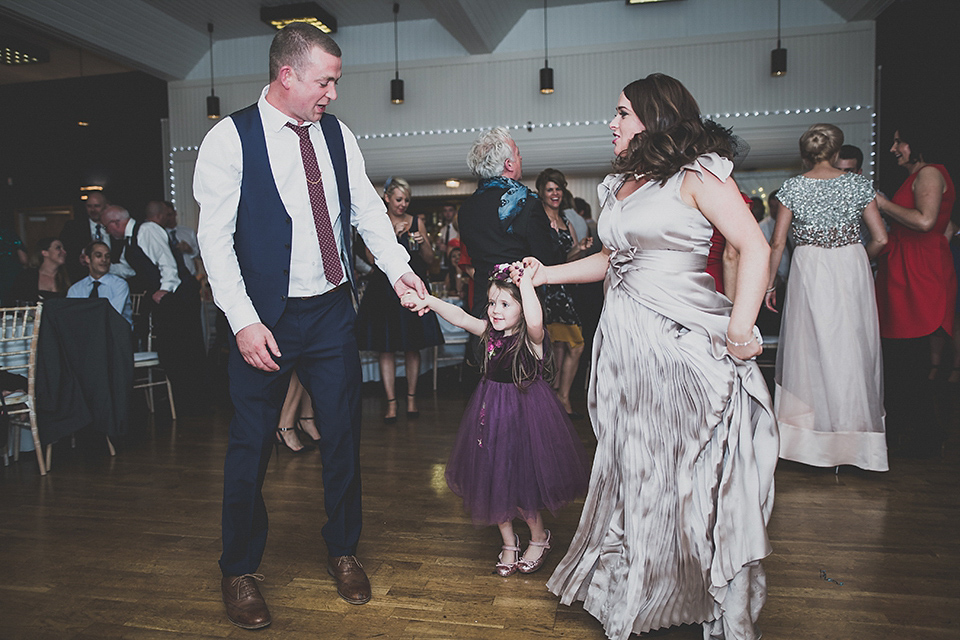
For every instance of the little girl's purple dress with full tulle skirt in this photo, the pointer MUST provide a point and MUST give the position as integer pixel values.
(517, 451)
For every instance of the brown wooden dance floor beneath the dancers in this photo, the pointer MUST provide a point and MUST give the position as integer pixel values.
(126, 547)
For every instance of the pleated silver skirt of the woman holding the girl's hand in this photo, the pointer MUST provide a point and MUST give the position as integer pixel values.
(673, 527)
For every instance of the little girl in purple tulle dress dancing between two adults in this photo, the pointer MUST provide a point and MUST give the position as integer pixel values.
(517, 452)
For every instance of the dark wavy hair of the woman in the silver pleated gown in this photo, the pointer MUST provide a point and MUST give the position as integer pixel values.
(674, 136)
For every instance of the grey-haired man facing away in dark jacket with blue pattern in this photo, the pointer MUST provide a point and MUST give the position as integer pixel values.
(503, 221)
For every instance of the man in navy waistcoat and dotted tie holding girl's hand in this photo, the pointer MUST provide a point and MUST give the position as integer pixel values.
(280, 184)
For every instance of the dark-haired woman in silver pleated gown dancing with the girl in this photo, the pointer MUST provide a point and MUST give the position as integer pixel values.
(674, 524)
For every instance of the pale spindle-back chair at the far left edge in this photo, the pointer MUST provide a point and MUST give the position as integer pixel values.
(19, 332)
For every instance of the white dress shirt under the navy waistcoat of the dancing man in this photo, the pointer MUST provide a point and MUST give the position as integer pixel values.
(216, 187)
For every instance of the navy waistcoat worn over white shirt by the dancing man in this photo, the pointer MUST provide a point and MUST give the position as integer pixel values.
(264, 229)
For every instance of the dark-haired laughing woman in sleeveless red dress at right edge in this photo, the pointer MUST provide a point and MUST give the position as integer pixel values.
(916, 292)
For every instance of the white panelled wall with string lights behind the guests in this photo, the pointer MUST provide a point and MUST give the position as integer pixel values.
(448, 100)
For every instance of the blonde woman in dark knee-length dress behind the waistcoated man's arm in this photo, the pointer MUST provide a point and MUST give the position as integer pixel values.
(383, 324)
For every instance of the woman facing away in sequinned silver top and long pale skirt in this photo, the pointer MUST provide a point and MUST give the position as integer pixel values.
(829, 376)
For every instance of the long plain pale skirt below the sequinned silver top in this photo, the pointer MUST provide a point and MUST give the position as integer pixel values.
(829, 398)
